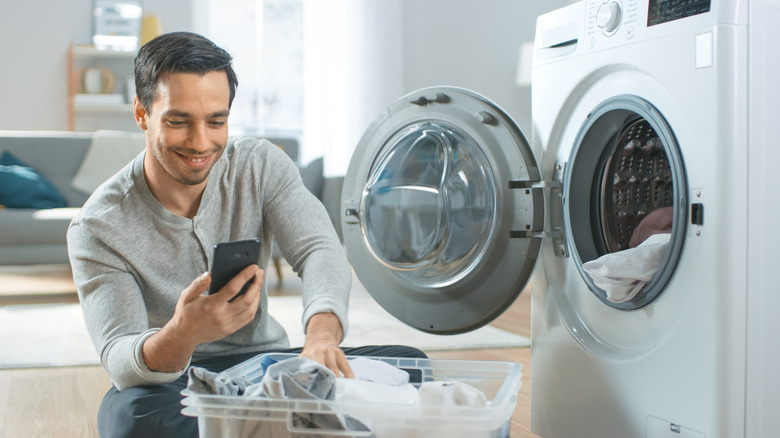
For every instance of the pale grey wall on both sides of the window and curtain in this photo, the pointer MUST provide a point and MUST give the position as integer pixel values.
(454, 42)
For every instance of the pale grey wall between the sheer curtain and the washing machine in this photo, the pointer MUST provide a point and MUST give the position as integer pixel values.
(472, 44)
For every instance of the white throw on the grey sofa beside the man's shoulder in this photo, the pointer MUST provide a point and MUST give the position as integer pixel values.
(109, 152)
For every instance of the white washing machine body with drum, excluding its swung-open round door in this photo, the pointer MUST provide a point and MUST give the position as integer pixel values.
(660, 104)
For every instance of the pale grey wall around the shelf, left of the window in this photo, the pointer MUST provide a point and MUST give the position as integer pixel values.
(36, 35)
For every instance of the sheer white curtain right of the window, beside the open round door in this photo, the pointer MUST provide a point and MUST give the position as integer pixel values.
(352, 72)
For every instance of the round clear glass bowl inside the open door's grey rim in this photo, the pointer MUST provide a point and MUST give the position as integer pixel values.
(429, 204)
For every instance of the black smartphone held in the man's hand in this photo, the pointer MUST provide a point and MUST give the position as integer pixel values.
(230, 258)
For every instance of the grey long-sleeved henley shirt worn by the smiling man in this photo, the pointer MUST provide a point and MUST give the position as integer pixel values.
(131, 257)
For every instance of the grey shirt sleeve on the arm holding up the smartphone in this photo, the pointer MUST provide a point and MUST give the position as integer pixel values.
(104, 285)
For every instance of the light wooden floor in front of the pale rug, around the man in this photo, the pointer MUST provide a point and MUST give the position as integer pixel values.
(63, 402)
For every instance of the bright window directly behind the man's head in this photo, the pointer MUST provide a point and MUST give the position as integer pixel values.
(265, 38)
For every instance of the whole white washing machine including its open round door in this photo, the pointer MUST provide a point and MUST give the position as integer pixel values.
(642, 108)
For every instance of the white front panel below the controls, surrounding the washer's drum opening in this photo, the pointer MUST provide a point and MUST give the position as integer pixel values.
(689, 339)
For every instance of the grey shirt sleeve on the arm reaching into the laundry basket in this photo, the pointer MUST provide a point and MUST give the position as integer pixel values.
(305, 235)
